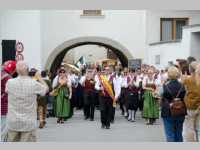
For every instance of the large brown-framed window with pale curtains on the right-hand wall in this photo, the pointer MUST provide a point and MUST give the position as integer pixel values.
(171, 28)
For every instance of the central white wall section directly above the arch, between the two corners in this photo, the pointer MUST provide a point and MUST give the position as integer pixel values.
(126, 27)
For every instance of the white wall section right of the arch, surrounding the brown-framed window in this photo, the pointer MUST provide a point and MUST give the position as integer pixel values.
(168, 51)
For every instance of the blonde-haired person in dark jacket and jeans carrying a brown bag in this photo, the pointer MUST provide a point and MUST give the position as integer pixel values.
(173, 91)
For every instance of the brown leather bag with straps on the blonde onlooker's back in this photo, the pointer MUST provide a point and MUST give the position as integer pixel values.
(177, 107)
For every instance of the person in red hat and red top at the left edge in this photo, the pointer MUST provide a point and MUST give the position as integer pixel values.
(8, 70)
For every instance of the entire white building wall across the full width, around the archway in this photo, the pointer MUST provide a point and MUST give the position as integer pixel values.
(42, 31)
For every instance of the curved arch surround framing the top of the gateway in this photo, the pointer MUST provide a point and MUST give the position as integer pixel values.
(56, 57)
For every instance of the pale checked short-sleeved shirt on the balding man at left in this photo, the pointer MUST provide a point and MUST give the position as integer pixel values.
(22, 103)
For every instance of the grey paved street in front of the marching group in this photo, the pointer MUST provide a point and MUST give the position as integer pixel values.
(79, 130)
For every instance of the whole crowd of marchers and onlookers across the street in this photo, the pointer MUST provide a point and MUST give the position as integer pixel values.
(174, 91)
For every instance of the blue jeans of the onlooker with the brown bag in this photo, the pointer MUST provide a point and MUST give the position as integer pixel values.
(173, 128)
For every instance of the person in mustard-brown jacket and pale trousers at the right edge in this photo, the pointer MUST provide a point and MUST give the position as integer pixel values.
(192, 100)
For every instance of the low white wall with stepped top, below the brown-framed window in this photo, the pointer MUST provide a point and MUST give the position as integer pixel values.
(188, 46)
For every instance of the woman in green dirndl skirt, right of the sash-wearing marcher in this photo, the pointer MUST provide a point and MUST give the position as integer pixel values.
(151, 105)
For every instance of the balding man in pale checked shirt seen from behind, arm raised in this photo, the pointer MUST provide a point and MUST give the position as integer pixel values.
(22, 104)
